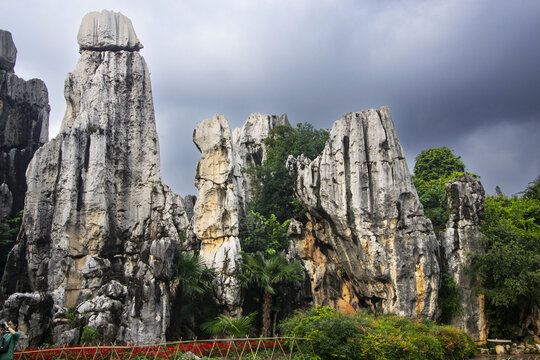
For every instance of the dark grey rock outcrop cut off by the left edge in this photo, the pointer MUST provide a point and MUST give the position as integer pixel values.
(24, 127)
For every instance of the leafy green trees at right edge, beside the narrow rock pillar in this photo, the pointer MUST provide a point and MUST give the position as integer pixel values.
(509, 270)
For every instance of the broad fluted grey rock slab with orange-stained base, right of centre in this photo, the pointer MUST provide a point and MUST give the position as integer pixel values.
(366, 218)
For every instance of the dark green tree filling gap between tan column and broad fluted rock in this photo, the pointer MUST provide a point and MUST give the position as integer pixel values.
(271, 190)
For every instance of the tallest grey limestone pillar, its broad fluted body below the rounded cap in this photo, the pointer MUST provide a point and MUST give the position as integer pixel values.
(100, 230)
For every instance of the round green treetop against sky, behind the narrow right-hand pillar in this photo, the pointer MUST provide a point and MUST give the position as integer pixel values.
(437, 163)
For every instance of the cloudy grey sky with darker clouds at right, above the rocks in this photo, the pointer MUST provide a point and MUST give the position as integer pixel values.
(463, 74)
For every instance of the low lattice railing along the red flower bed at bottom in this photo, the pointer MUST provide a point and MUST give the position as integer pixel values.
(245, 348)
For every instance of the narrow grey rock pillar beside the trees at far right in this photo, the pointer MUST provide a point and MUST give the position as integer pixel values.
(462, 235)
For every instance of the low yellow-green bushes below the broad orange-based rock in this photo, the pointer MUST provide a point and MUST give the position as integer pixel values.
(364, 336)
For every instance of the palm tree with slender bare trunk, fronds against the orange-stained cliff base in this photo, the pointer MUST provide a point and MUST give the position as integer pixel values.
(266, 274)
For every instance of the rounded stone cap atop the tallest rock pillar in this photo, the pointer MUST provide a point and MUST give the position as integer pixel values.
(107, 30)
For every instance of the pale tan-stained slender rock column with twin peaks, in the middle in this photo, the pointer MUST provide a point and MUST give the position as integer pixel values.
(223, 193)
